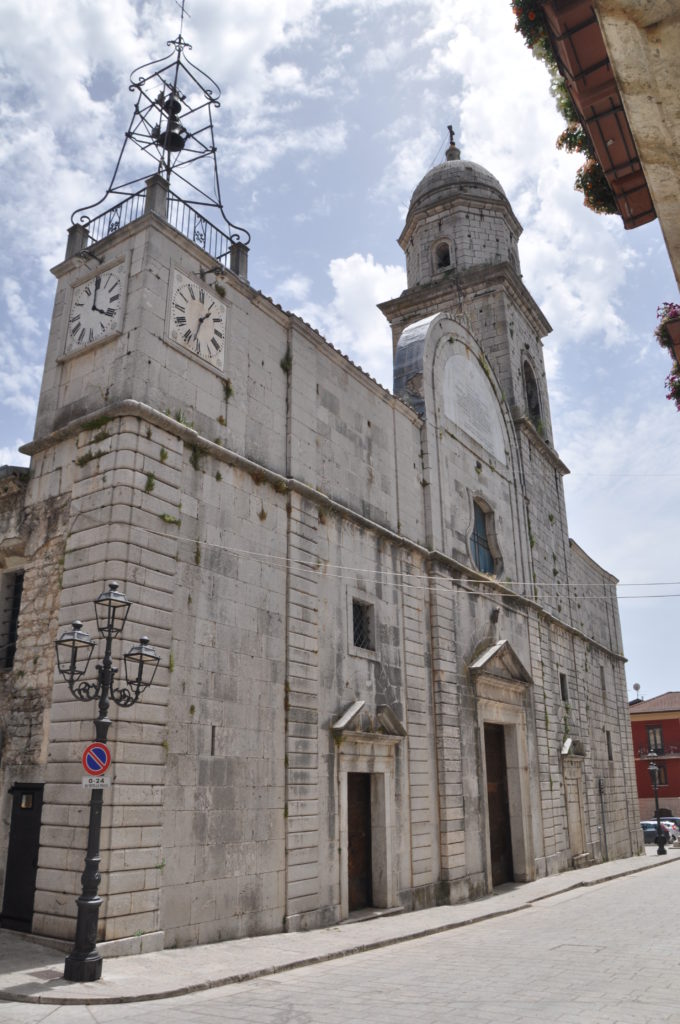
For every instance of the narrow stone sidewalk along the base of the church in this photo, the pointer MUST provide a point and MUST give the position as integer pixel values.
(31, 972)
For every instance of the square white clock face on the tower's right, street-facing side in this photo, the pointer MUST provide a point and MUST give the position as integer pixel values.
(198, 320)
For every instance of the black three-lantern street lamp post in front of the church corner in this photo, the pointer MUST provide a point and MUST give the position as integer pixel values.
(74, 650)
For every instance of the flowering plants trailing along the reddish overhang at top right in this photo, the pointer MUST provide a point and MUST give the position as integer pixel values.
(590, 180)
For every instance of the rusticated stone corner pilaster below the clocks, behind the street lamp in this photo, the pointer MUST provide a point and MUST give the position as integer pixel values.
(121, 528)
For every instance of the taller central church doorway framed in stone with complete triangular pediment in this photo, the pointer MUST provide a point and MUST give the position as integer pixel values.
(502, 688)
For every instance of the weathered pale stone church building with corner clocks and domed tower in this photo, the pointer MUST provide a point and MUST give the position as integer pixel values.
(389, 679)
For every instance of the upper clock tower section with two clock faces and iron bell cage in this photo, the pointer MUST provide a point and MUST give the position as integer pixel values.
(142, 313)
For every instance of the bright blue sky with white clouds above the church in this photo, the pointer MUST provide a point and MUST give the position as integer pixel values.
(332, 111)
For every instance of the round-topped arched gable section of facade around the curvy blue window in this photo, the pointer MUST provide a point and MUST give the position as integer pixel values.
(470, 440)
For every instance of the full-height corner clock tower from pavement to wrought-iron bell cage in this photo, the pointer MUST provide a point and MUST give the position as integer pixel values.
(143, 347)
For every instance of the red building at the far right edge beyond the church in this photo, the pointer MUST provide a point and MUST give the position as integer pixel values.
(656, 726)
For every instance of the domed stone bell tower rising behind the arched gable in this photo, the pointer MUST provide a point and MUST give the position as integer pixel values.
(460, 241)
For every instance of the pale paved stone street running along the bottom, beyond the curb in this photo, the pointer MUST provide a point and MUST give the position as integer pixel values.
(608, 954)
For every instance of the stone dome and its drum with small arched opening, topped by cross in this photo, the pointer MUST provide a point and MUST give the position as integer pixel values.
(459, 219)
